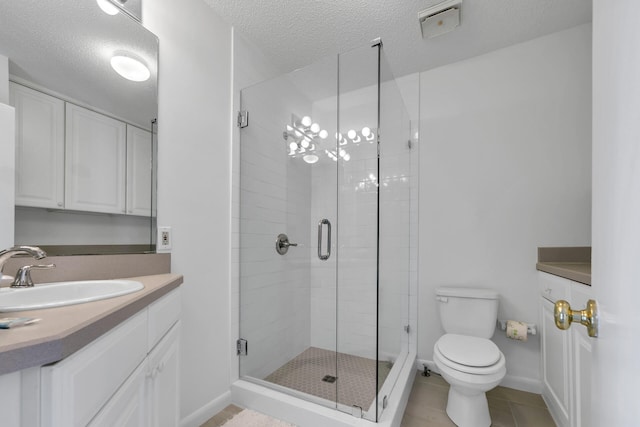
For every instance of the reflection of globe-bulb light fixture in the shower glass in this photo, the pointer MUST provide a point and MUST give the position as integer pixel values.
(305, 139)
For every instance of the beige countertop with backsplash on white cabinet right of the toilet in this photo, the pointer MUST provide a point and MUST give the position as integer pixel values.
(573, 263)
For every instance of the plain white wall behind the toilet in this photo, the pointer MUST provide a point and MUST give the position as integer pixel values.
(505, 168)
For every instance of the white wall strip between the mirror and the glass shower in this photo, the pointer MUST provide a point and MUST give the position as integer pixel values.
(194, 183)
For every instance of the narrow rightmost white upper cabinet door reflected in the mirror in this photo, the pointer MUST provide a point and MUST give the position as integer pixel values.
(139, 150)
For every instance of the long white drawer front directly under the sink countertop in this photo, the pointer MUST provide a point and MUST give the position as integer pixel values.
(74, 389)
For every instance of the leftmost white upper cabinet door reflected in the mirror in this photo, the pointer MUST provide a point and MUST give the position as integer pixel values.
(39, 148)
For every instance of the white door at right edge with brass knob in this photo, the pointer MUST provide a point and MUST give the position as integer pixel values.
(616, 212)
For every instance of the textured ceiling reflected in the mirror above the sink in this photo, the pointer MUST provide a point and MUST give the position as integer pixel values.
(66, 46)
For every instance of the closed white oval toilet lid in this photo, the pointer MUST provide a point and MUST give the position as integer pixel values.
(468, 351)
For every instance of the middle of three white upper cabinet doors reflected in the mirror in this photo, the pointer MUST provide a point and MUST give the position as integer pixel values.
(95, 161)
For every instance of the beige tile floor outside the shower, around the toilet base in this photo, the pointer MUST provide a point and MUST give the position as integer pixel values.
(428, 400)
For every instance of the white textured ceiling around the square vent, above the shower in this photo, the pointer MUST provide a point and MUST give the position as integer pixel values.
(295, 33)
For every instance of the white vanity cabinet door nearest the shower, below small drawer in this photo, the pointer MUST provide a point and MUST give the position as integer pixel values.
(165, 382)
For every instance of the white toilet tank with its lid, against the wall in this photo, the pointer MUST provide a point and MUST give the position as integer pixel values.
(468, 311)
